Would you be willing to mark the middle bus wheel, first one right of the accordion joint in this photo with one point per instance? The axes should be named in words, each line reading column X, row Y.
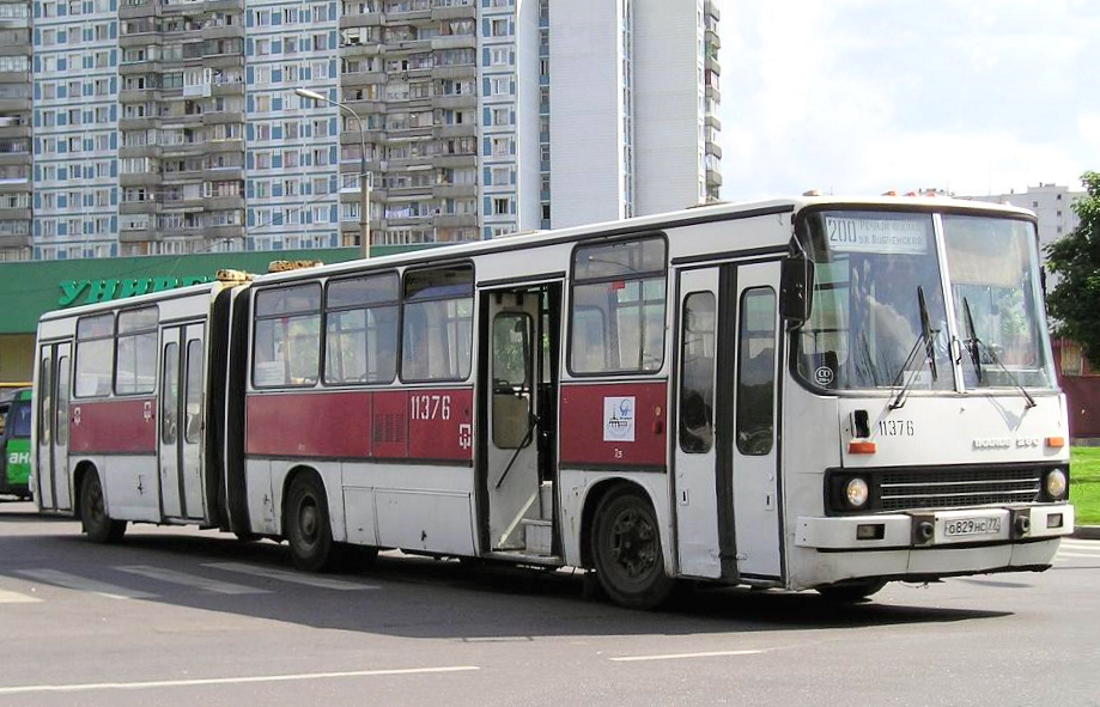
column 309, row 529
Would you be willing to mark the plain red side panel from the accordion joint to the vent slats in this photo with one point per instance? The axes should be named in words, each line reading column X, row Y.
column 309, row 425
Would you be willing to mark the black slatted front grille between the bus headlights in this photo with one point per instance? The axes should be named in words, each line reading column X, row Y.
column 914, row 491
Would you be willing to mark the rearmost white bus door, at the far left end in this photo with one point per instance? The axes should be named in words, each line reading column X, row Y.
column 52, row 473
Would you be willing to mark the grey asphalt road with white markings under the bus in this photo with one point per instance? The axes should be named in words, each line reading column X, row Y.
column 183, row 617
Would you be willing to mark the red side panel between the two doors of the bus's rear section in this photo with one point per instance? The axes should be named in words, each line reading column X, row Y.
column 114, row 427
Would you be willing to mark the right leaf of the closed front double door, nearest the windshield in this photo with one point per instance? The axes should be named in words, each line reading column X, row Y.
column 755, row 455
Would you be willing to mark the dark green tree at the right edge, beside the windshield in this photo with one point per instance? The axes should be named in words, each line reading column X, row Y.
column 1075, row 302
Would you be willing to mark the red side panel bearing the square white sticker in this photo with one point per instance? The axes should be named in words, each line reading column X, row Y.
column 614, row 425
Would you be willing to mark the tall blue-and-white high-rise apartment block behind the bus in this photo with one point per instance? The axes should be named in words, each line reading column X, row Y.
column 171, row 127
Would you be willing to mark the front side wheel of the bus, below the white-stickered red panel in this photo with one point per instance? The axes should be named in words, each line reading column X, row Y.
column 626, row 551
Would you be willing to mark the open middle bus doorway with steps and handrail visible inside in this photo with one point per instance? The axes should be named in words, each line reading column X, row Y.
column 519, row 385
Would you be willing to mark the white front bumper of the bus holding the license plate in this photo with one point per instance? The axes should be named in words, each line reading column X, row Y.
column 936, row 529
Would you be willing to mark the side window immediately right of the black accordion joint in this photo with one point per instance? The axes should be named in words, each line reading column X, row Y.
column 288, row 343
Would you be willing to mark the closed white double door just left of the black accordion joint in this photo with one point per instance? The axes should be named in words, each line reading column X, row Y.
column 181, row 422
